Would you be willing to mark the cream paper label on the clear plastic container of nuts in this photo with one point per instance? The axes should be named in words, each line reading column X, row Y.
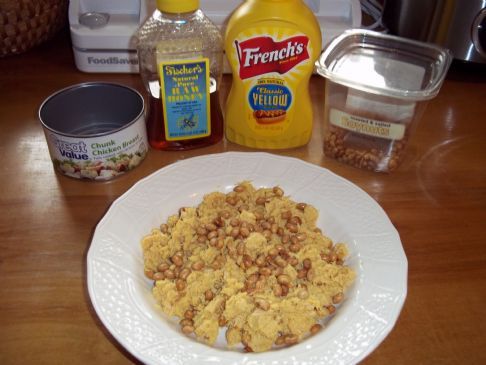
column 370, row 127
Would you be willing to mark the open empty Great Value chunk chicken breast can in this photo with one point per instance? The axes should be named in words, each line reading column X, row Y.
column 95, row 131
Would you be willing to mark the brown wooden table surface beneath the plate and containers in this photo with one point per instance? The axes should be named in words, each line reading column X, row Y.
column 436, row 200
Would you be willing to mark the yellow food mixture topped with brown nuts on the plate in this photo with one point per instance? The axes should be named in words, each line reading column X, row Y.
column 251, row 262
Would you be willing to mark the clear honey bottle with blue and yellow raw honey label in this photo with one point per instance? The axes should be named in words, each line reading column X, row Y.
column 180, row 55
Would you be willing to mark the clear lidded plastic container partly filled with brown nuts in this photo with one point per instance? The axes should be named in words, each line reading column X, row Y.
column 377, row 89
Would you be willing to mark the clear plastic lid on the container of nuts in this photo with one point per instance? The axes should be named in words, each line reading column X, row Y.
column 385, row 65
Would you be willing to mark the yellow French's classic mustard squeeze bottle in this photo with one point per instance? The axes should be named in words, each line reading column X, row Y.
column 271, row 46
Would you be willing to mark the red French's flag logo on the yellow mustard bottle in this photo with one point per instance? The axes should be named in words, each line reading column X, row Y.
column 261, row 55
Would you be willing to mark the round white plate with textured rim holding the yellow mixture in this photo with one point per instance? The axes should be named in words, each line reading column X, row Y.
column 122, row 298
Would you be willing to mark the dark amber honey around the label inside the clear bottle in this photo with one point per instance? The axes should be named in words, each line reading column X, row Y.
column 156, row 127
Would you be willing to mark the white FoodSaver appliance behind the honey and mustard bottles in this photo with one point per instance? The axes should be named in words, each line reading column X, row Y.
column 102, row 30
